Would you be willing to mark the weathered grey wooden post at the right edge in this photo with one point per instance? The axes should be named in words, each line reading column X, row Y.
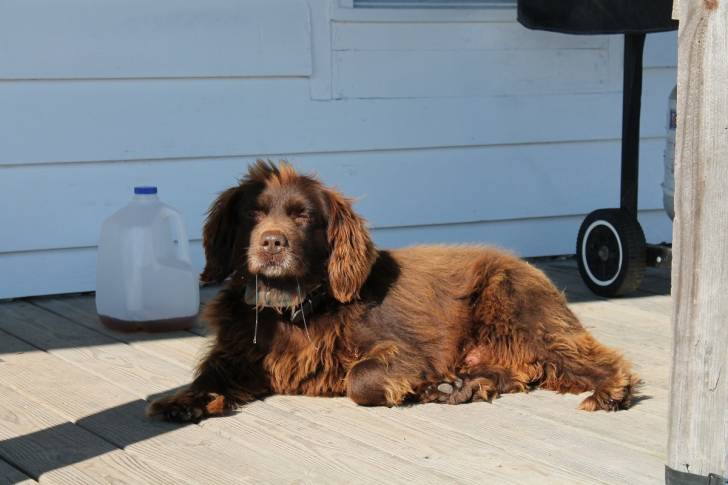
column 698, row 427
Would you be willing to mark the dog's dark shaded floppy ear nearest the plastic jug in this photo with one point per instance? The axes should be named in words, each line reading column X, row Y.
column 222, row 235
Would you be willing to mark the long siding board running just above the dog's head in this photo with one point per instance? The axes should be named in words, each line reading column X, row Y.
column 148, row 119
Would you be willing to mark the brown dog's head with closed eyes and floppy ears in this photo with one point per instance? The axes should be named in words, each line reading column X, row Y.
column 282, row 226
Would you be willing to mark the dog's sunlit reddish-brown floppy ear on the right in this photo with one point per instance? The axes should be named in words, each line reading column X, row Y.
column 352, row 250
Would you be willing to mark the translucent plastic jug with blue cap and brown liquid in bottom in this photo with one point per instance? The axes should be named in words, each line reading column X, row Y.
column 144, row 278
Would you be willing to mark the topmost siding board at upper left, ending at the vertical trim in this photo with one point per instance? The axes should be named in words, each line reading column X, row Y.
column 47, row 39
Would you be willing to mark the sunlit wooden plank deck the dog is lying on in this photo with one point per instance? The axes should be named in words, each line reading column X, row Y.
column 72, row 398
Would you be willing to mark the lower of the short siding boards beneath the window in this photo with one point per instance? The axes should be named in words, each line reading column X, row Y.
column 469, row 73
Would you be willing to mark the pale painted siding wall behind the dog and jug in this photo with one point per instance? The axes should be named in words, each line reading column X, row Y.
column 449, row 126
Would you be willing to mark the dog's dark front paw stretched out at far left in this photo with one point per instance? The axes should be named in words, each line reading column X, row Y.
column 186, row 407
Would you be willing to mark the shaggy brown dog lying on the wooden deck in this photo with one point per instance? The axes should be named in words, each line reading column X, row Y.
column 312, row 307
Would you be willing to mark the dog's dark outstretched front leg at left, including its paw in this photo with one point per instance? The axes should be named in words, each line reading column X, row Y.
column 219, row 387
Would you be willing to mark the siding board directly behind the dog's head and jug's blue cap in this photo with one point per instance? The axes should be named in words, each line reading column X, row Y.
column 392, row 188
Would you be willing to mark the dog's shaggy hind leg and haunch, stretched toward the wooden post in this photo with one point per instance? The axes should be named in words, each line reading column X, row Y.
column 526, row 326
